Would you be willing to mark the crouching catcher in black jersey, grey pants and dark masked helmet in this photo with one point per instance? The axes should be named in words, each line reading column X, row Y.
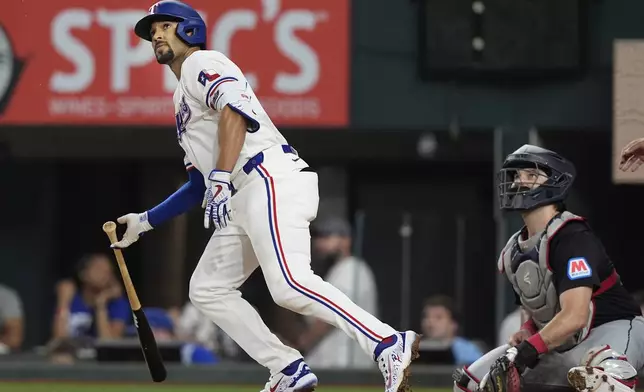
column 584, row 327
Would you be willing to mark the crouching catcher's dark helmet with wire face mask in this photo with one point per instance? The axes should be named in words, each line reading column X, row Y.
column 560, row 176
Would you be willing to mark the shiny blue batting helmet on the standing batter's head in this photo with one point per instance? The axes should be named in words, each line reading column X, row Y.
column 188, row 18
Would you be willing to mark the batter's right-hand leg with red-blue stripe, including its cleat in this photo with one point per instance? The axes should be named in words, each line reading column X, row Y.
column 280, row 211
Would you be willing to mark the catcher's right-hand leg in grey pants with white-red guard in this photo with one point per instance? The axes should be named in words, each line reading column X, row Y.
column 610, row 357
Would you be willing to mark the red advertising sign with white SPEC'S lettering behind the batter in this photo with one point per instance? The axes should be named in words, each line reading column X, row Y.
column 77, row 61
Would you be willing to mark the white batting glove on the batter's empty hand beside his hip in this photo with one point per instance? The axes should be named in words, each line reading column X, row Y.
column 216, row 200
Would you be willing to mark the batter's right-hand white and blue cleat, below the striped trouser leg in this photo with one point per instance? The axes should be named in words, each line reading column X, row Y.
column 394, row 355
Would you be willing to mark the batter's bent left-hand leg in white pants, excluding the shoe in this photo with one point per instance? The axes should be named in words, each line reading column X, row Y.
column 226, row 263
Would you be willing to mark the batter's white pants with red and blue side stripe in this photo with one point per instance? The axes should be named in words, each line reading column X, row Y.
column 272, row 209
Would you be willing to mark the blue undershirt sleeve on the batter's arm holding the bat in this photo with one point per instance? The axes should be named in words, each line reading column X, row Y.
column 189, row 195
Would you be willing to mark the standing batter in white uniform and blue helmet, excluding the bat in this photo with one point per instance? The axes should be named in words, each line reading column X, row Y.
column 259, row 195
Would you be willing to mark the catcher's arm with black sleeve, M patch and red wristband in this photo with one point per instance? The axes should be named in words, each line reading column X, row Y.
column 573, row 259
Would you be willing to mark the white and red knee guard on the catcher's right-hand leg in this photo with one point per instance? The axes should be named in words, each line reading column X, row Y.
column 603, row 369
